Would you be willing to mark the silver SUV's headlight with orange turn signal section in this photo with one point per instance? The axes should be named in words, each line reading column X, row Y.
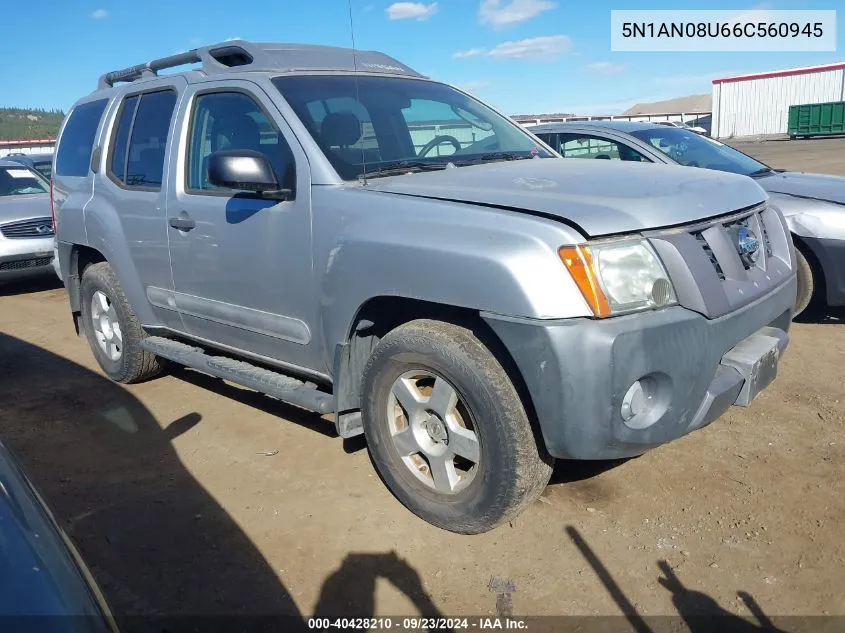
column 619, row 277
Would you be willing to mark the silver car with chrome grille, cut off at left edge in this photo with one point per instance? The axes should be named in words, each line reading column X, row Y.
column 26, row 228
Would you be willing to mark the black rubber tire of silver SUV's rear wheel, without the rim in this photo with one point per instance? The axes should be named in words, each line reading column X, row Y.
column 134, row 364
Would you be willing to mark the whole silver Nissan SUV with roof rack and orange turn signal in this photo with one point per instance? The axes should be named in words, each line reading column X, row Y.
column 268, row 219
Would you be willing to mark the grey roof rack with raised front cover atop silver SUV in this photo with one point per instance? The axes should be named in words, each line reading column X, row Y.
column 235, row 55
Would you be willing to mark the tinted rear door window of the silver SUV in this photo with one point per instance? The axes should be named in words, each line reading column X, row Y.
column 140, row 140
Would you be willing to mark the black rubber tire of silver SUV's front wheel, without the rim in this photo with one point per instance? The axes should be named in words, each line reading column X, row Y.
column 512, row 470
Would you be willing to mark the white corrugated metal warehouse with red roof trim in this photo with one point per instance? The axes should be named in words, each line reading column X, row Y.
column 758, row 104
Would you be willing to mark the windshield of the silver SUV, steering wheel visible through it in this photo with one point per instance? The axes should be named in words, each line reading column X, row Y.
column 387, row 121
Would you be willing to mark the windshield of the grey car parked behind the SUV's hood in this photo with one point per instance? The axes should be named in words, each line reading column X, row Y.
column 694, row 150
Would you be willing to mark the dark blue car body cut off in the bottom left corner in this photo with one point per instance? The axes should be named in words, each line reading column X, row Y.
column 46, row 585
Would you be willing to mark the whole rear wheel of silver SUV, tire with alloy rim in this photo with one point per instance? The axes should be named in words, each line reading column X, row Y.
column 112, row 329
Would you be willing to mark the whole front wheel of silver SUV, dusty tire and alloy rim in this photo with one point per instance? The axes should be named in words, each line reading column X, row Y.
column 447, row 430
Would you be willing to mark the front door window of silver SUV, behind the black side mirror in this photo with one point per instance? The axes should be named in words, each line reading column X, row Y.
column 233, row 120
